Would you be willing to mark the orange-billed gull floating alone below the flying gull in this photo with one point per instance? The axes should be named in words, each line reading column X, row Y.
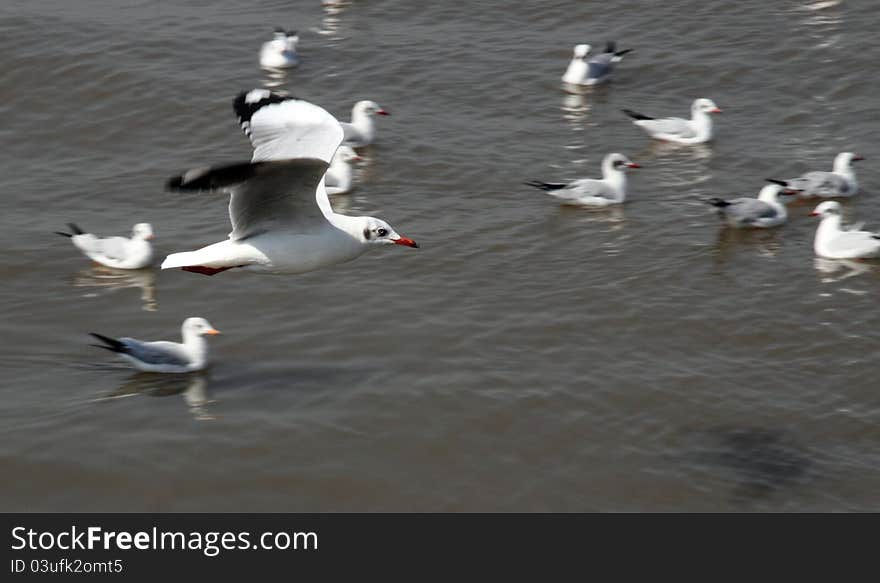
column 164, row 356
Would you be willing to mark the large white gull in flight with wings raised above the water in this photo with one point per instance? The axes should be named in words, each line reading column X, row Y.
column 281, row 217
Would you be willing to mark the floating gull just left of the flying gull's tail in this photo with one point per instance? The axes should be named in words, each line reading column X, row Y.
column 118, row 252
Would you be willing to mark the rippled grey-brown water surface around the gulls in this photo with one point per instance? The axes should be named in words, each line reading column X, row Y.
column 528, row 356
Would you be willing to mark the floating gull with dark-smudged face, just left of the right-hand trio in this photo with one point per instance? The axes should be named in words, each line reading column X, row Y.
column 611, row 189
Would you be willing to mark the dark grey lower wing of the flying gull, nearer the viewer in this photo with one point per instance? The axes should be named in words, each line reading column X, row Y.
column 284, row 194
